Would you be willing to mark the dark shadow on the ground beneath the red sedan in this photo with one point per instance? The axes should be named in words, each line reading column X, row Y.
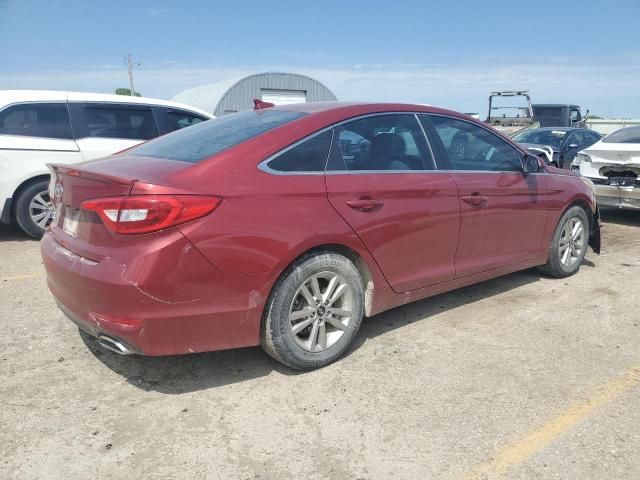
column 179, row 374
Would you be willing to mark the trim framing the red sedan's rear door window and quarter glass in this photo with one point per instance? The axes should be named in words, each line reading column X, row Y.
column 263, row 165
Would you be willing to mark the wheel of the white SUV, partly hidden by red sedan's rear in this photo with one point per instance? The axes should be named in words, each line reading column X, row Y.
column 34, row 211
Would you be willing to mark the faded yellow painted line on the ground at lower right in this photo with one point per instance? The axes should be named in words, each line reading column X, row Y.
column 516, row 453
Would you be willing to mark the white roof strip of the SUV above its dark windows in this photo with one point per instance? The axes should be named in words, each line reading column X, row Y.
column 8, row 97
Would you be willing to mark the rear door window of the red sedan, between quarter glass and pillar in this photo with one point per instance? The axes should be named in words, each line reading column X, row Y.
column 380, row 142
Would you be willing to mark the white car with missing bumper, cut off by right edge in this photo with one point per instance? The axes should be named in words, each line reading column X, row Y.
column 613, row 165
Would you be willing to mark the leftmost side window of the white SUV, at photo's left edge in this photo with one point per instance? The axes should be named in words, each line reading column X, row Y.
column 48, row 120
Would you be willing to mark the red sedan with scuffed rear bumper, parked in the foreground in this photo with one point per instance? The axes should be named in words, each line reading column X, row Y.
column 286, row 226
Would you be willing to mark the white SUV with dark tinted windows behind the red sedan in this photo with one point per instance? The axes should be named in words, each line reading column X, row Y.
column 40, row 127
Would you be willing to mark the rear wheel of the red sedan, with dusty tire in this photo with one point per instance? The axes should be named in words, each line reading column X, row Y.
column 314, row 311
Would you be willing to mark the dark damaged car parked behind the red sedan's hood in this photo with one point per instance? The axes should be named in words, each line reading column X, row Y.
column 559, row 144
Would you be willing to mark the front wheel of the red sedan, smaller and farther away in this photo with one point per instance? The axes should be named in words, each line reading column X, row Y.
column 568, row 244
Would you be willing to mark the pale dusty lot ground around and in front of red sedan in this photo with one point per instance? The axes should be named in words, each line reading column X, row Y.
column 519, row 377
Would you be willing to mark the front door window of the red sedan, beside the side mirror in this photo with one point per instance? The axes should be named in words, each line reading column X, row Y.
column 471, row 147
